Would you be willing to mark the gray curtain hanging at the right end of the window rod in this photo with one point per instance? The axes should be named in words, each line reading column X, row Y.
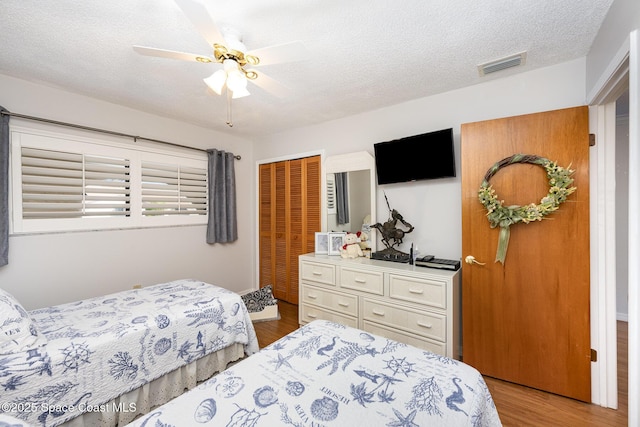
column 222, row 226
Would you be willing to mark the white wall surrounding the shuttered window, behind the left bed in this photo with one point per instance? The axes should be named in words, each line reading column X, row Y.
column 48, row 269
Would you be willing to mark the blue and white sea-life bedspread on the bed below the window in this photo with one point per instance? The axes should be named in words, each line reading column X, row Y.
column 100, row 348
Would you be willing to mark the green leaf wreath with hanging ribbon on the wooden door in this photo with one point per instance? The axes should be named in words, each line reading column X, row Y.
column 560, row 188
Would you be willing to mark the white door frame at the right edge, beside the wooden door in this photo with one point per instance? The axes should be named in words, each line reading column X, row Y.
column 625, row 66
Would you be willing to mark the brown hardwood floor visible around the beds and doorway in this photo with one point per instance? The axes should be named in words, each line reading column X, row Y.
column 517, row 405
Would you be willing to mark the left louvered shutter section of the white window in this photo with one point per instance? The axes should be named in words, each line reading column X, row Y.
column 57, row 184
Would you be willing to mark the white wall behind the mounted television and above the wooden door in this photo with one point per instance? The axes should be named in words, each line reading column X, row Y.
column 434, row 207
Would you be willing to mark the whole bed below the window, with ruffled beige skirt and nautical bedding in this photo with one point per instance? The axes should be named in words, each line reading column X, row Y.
column 102, row 361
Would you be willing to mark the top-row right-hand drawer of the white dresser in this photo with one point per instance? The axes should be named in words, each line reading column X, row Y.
column 418, row 290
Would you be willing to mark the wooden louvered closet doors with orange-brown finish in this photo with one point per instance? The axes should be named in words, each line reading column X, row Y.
column 289, row 216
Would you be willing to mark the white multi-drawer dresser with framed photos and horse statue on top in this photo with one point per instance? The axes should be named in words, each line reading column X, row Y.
column 415, row 305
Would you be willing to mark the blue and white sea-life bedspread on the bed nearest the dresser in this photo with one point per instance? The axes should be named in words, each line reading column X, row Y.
column 325, row 374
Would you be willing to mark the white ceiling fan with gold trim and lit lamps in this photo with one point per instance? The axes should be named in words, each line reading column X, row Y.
column 229, row 51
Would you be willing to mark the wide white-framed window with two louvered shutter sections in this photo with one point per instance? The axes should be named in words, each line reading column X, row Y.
column 60, row 182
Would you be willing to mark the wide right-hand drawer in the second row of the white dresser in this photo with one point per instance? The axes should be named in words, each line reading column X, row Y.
column 431, row 325
